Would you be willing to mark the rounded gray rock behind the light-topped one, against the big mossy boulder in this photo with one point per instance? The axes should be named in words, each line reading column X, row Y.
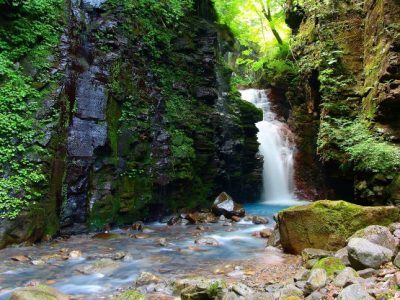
column 379, row 235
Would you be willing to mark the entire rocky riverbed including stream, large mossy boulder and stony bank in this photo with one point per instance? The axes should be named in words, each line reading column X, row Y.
column 219, row 254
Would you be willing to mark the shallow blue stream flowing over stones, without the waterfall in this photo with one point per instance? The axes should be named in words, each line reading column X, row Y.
column 107, row 266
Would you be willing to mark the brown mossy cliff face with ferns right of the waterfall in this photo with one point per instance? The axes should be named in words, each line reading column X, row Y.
column 348, row 56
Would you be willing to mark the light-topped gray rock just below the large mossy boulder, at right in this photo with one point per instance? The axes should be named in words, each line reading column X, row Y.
column 365, row 254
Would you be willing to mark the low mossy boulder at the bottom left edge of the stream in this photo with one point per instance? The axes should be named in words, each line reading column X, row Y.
column 38, row 292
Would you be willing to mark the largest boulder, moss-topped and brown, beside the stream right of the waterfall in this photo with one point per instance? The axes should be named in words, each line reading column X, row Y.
column 328, row 224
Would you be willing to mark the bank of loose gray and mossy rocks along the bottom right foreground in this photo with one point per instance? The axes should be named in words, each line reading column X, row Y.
column 350, row 273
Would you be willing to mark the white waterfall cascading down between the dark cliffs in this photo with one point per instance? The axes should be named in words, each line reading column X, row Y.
column 277, row 148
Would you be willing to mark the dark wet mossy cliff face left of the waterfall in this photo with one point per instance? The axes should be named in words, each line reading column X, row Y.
column 145, row 120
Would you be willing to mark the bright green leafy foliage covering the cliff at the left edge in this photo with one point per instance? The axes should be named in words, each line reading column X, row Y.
column 28, row 35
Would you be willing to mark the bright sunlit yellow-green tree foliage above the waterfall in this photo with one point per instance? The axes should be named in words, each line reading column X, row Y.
column 253, row 31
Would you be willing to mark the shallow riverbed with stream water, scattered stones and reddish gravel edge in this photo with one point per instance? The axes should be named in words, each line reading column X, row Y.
column 99, row 266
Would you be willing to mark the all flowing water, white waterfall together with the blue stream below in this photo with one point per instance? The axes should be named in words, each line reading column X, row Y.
column 113, row 262
